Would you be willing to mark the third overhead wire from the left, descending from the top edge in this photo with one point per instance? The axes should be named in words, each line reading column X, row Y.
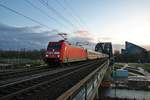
column 57, row 13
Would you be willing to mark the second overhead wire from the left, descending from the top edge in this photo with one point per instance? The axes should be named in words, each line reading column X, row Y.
column 43, row 12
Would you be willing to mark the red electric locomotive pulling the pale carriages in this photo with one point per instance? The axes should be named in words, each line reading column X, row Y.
column 62, row 52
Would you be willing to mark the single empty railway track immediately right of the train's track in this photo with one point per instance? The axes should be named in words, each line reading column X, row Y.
column 10, row 90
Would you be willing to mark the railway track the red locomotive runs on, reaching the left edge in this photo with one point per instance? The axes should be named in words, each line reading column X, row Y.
column 10, row 77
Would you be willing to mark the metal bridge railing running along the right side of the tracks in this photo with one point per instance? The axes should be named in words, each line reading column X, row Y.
column 87, row 88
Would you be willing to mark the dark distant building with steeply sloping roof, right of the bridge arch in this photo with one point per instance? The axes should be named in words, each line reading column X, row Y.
column 131, row 48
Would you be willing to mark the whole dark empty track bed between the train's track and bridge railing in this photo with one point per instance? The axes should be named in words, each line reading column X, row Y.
column 51, row 83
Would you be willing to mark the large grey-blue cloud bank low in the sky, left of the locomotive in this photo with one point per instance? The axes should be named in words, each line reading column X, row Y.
column 15, row 38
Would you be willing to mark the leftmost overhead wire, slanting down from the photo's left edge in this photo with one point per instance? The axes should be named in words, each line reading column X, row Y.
column 27, row 17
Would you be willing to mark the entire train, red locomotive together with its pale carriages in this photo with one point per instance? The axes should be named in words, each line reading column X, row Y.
column 63, row 52
